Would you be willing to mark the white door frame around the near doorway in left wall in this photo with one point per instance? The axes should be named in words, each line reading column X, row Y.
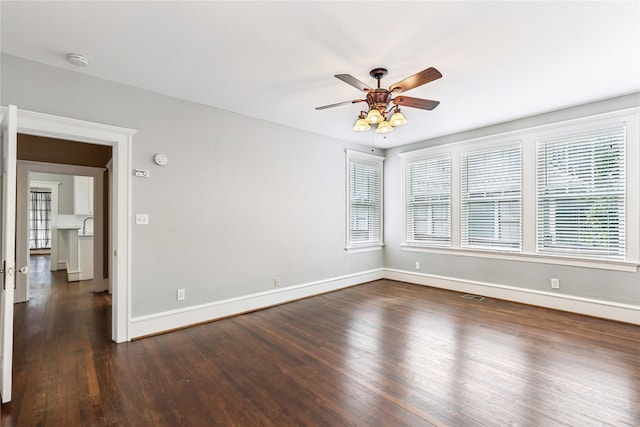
column 120, row 139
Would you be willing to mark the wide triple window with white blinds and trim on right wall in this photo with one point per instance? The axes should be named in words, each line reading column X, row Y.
column 563, row 193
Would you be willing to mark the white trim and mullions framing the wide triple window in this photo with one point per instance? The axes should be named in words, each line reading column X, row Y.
column 528, row 137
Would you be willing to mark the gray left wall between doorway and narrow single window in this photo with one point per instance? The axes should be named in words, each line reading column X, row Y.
column 242, row 201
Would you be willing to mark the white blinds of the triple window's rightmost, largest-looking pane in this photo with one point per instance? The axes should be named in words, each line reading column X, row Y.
column 581, row 194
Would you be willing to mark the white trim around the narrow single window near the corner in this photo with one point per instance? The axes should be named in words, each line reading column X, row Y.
column 378, row 161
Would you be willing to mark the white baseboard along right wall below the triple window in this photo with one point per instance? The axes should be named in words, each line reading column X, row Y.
column 590, row 307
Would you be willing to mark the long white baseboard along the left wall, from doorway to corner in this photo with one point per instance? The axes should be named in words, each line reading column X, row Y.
column 174, row 319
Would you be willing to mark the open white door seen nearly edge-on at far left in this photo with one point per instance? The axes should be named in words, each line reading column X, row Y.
column 8, row 140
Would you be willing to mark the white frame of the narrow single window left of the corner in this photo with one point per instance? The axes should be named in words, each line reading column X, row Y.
column 375, row 242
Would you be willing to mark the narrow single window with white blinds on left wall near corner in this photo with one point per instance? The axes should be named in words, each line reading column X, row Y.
column 364, row 200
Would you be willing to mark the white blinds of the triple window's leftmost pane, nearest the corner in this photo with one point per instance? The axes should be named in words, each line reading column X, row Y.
column 428, row 201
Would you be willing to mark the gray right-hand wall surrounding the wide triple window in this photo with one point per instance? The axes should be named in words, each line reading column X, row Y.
column 614, row 286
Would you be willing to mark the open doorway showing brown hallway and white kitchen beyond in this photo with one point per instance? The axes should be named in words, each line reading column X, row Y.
column 79, row 223
